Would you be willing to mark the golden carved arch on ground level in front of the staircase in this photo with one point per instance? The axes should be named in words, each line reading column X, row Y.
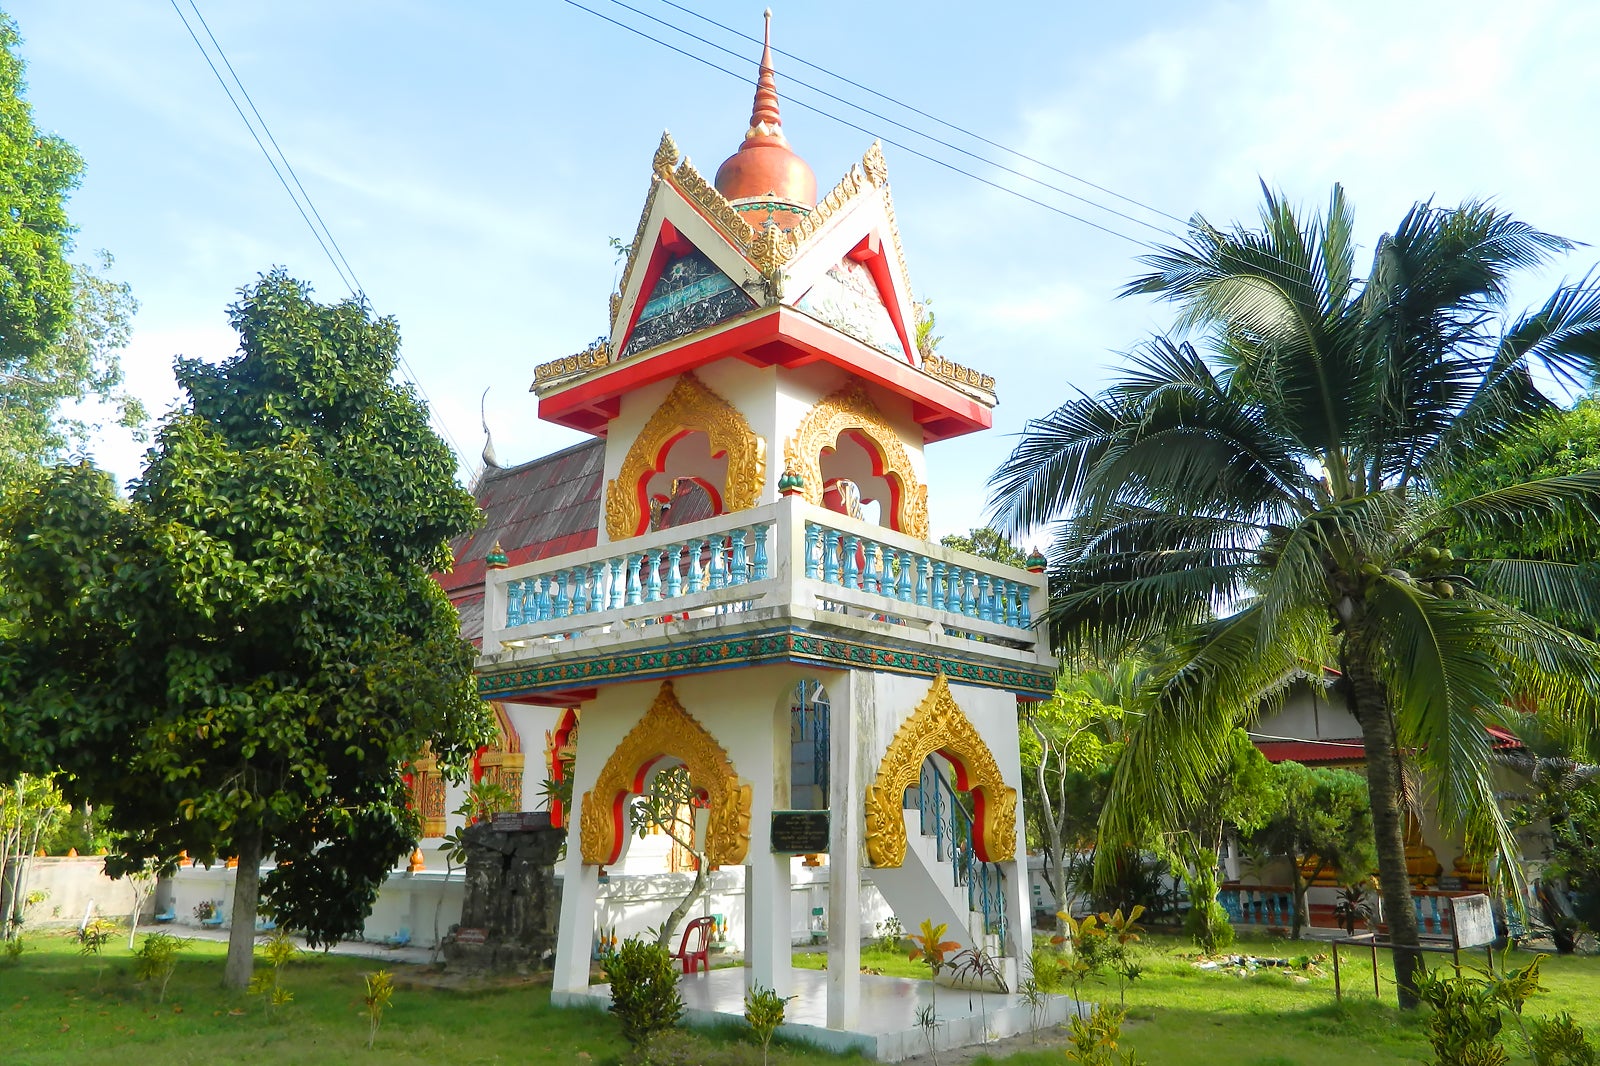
column 938, row 726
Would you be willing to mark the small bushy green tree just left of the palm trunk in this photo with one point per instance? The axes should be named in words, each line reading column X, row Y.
column 1326, row 822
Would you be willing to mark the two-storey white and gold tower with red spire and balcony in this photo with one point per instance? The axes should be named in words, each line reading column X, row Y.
column 762, row 551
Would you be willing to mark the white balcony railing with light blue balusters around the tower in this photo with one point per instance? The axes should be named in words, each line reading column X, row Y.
column 780, row 556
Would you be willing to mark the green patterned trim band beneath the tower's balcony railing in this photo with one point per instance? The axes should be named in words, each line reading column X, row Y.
column 778, row 646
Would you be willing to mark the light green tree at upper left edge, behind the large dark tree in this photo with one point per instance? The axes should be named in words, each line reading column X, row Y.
column 60, row 323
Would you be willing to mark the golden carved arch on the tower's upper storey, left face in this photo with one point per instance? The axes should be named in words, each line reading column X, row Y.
column 690, row 406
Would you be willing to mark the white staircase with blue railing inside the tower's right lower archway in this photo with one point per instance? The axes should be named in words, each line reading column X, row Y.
column 943, row 880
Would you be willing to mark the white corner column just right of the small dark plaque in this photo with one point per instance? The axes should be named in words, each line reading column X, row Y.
column 850, row 699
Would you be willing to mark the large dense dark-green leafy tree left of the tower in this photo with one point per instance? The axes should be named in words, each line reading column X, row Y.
column 241, row 659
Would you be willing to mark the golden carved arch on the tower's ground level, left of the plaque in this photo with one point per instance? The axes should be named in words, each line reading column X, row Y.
column 666, row 732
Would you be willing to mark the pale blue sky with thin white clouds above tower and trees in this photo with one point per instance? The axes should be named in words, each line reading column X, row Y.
column 474, row 159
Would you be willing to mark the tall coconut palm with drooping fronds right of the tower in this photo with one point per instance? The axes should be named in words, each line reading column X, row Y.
column 1265, row 505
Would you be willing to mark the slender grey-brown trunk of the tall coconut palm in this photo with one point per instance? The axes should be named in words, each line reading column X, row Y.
column 1370, row 705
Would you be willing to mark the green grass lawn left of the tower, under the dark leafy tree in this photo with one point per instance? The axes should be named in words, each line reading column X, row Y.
column 54, row 1011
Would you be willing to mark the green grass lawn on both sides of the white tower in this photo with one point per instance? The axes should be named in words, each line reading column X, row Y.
column 54, row 1009
